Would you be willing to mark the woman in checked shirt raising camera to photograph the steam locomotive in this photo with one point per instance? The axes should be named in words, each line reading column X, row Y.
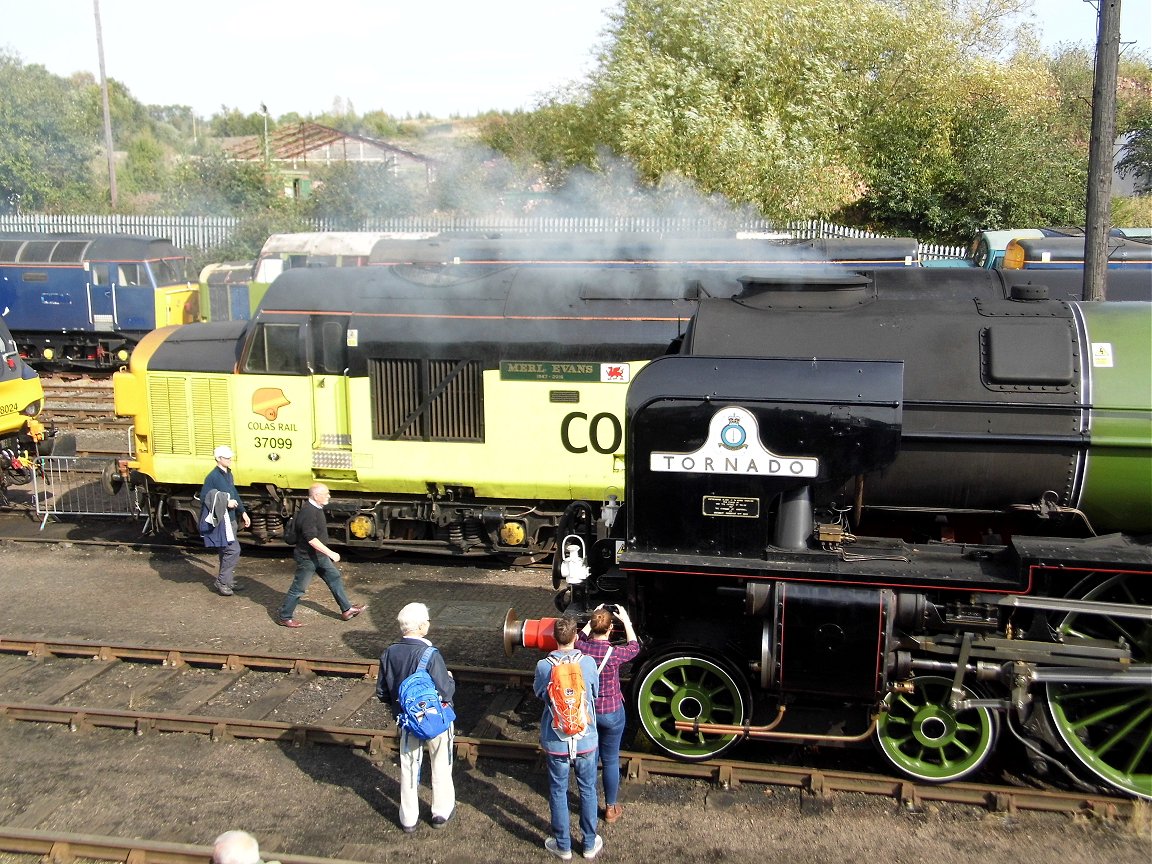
column 610, row 704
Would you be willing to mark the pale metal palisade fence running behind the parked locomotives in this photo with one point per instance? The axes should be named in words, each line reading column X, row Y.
column 211, row 232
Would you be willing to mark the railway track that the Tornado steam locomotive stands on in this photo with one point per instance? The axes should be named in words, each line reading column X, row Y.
column 329, row 701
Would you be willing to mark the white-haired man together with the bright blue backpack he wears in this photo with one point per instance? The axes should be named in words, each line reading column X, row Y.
column 416, row 683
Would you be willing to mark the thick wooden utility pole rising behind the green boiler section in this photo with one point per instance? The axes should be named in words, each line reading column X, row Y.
column 1102, row 150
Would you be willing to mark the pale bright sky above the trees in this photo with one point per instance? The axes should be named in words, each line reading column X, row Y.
column 439, row 58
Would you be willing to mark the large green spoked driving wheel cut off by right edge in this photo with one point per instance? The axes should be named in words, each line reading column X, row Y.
column 1109, row 729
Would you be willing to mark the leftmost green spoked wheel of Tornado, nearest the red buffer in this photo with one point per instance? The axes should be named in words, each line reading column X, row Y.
column 689, row 688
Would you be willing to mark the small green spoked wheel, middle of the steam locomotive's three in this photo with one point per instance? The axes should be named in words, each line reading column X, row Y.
column 927, row 740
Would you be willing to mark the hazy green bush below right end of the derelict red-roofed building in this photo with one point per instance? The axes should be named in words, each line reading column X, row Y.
column 347, row 194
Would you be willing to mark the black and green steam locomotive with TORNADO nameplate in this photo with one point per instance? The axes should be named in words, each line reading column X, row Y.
column 921, row 520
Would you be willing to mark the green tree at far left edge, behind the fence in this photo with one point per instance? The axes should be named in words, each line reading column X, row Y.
column 49, row 140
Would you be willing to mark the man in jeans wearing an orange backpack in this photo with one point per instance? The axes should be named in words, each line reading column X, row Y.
column 569, row 683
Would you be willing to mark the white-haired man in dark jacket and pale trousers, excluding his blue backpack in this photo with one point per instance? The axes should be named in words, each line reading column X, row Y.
column 398, row 662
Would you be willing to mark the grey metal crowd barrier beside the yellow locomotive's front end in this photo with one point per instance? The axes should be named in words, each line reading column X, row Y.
column 81, row 487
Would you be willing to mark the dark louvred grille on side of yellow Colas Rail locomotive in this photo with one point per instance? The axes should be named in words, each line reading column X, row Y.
column 434, row 400
